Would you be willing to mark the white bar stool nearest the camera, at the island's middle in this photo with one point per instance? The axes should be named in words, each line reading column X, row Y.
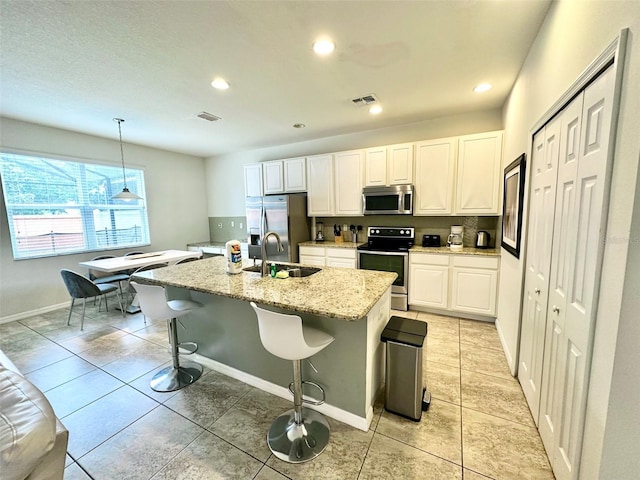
column 301, row 434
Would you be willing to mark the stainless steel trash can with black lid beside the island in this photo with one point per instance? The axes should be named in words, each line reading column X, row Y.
column 405, row 393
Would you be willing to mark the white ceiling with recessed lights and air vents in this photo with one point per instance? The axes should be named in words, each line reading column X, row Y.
column 77, row 64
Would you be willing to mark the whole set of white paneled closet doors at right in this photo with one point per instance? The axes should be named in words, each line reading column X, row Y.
column 569, row 192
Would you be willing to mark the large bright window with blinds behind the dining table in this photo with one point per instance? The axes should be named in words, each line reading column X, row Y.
column 57, row 207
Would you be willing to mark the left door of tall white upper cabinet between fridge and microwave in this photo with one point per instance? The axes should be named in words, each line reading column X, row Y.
column 320, row 196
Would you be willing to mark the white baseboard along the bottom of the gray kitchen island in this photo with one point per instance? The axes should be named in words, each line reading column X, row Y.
column 329, row 410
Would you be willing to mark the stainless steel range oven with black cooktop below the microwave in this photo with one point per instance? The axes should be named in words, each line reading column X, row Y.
column 387, row 250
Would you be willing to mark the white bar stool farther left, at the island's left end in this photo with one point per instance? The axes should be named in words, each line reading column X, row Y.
column 154, row 305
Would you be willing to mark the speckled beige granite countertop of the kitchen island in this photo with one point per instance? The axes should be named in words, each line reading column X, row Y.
column 332, row 292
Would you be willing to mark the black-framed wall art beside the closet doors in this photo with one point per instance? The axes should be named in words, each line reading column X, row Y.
column 513, row 188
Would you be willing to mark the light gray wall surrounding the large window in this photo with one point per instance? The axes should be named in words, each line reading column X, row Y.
column 176, row 202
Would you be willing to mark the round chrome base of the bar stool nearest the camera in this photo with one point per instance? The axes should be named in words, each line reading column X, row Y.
column 297, row 443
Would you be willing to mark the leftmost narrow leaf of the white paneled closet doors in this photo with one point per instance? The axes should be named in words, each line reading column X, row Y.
column 538, row 261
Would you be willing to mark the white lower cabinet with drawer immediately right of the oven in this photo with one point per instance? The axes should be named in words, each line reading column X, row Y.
column 429, row 280
